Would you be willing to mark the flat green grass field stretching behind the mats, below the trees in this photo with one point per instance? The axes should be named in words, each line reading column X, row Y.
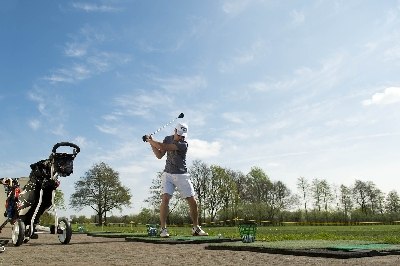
column 377, row 233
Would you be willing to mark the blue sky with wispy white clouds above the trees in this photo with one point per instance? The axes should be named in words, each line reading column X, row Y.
column 297, row 88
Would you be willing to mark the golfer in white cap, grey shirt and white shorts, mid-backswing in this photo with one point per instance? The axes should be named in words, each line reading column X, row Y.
column 175, row 176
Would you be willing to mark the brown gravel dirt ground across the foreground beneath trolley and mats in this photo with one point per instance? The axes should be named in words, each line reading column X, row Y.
column 87, row 250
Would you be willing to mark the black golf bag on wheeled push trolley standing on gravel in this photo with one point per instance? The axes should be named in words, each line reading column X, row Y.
column 24, row 207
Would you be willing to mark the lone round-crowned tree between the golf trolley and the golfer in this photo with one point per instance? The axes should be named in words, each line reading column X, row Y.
column 101, row 190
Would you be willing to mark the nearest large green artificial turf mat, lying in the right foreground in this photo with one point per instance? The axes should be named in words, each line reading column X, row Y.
column 341, row 249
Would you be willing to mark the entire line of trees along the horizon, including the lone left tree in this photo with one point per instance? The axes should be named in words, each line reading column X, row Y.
column 225, row 194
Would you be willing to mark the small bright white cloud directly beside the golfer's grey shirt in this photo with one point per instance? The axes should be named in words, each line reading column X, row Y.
column 200, row 149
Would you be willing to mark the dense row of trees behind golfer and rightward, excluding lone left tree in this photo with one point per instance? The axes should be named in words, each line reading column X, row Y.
column 225, row 194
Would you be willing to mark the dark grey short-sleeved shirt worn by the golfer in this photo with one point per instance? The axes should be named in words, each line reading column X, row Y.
column 176, row 160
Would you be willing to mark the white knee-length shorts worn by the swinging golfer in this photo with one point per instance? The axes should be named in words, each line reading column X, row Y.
column 180, row 182
